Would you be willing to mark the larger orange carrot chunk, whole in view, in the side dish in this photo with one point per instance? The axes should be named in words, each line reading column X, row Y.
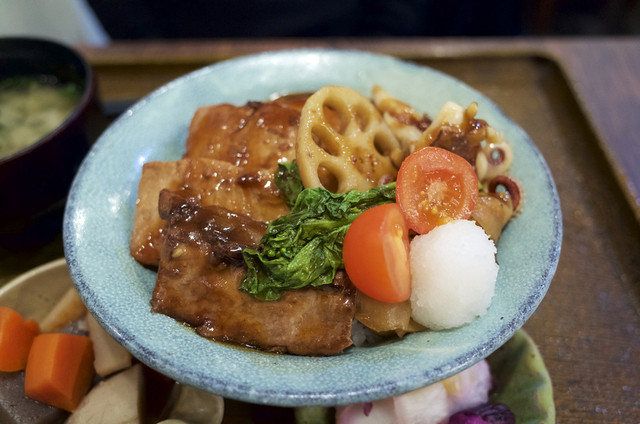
column 59, row 370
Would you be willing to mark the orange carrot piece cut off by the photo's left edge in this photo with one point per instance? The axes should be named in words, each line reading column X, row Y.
column 16, row 336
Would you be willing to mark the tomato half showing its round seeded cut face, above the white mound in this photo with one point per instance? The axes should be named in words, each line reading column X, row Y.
column 435, row 186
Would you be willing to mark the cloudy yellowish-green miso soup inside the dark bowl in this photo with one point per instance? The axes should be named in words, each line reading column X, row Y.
column 30, row 108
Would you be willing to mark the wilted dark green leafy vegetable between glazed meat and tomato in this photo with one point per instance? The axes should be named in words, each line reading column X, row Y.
column 305, row 247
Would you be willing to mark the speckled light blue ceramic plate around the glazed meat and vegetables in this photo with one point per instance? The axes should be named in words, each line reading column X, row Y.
column 99, row 218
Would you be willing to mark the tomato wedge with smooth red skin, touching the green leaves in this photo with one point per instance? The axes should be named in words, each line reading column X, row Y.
column 376, row 254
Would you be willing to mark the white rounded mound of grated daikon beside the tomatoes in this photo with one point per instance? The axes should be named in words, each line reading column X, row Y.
column 453, row 275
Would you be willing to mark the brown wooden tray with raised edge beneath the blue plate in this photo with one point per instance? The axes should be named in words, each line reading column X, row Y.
column 588, row 325
